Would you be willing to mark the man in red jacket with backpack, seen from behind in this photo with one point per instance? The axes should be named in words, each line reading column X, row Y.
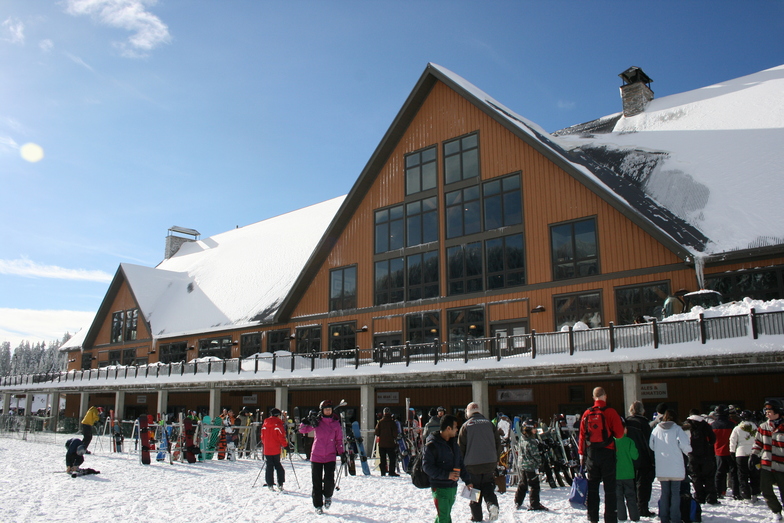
column 599, row 427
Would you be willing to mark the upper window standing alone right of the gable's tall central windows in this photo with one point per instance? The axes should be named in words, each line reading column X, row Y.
column 575, row 252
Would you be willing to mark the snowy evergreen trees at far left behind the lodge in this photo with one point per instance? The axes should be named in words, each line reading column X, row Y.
column 27, row 358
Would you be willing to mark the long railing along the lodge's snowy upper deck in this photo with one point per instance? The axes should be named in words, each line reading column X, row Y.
column 529, row 345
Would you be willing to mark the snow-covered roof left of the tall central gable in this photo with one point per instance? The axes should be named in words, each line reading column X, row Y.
column 232, row 279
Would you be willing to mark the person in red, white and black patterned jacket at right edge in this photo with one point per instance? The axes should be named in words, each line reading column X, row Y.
column 767, row 454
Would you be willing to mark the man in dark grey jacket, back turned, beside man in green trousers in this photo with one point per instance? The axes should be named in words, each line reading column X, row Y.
column 480, row 443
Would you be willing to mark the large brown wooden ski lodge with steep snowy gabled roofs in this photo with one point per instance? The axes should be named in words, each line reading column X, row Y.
column 467, row 223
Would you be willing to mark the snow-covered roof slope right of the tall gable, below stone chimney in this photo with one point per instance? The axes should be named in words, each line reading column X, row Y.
column 711, row 156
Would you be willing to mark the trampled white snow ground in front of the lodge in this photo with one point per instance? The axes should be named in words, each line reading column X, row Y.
column 36, row 488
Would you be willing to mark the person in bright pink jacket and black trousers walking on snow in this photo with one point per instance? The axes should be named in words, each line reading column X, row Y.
column 327, row 445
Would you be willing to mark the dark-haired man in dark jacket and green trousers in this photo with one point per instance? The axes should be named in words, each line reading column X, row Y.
column 443, row 463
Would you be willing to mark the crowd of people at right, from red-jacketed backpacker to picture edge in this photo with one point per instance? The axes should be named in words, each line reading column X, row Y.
column 703, row 460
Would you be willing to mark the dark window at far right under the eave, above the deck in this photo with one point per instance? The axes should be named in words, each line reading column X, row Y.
column 763, row 284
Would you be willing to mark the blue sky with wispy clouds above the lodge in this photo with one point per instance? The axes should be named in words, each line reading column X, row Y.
column 210, row 115
